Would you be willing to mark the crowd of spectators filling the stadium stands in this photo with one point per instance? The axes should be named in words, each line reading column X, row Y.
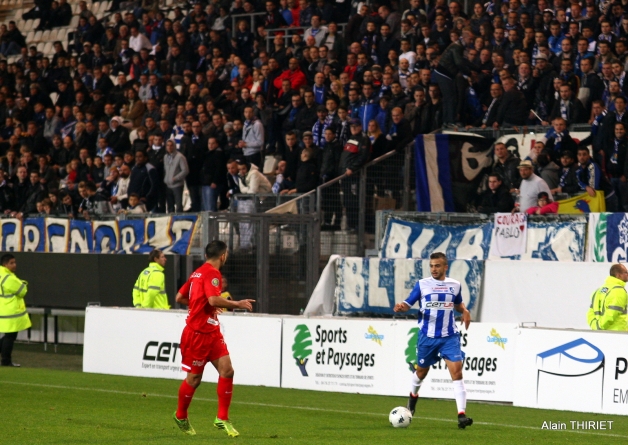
column 151, row 100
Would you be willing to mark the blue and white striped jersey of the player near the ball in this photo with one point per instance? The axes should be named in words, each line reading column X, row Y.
column 436, row 306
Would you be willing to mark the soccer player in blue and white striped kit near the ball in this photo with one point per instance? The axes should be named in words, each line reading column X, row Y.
column 438, row 297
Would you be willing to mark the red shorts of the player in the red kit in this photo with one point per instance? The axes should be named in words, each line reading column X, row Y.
column 198, row 349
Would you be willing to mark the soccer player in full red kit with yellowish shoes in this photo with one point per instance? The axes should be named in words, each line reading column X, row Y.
column 202, row 341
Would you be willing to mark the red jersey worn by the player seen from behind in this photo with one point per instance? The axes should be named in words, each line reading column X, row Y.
column 205, row 282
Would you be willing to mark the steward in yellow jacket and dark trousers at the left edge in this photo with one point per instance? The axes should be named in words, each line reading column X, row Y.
column 13, row 315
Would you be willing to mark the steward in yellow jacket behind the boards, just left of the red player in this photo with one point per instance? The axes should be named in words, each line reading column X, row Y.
column 150, row 288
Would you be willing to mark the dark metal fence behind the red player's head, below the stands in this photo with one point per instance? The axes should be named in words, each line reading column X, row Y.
column 274, row 259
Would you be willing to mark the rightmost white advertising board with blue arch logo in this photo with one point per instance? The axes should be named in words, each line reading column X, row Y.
column 572, row 370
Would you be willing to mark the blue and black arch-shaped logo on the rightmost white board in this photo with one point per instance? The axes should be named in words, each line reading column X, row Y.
column 577, row 364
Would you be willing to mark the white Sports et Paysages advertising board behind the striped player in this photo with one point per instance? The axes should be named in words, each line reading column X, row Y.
column 378, row 357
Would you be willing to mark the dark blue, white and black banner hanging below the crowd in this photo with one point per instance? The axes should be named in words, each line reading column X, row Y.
column 449, row 168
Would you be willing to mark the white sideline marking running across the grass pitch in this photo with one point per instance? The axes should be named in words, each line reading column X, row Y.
column 304, row 408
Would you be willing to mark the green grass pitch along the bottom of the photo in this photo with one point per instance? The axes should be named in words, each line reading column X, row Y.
column 43, row 406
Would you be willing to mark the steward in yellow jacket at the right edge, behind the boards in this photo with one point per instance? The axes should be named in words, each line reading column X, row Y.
column 609, row 303
